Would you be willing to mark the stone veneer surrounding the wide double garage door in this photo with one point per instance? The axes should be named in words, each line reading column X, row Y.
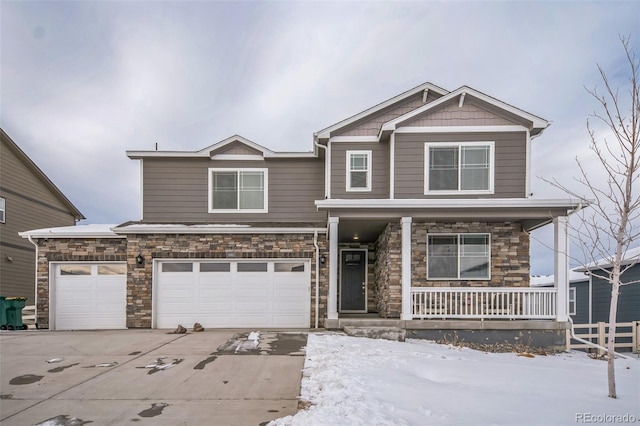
column 237, row 246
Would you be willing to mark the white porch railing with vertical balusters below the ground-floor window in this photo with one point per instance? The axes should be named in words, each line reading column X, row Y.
column 485, row 302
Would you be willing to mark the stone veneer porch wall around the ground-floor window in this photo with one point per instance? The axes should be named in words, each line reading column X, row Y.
column 510, row 265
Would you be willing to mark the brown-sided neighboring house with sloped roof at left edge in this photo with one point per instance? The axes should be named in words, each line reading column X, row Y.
column 28, row 200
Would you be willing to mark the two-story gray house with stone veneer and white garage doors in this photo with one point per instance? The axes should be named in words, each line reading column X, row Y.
column 417, row 208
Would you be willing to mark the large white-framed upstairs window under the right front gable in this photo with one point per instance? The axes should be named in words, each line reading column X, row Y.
column 459, row 168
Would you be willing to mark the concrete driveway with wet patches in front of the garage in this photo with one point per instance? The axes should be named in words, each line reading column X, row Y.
column 149, row 377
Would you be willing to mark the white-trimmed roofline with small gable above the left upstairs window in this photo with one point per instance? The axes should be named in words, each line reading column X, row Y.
column 209, row 151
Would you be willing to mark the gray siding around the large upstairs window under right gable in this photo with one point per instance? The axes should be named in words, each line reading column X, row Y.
column 510, row 163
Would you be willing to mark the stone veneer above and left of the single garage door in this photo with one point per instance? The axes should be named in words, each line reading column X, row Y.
column 71, row 250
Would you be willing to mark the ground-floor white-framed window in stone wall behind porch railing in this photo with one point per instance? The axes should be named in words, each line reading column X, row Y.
column 458, row 256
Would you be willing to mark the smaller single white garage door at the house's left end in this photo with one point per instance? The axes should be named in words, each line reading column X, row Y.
column 90, row 296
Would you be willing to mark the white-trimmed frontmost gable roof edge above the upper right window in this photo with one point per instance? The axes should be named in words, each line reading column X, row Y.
column 537, row 124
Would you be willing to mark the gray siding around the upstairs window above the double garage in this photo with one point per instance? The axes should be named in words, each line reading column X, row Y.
column 176, row 190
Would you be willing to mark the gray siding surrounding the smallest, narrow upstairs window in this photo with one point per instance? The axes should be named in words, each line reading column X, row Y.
column 379, row 170
